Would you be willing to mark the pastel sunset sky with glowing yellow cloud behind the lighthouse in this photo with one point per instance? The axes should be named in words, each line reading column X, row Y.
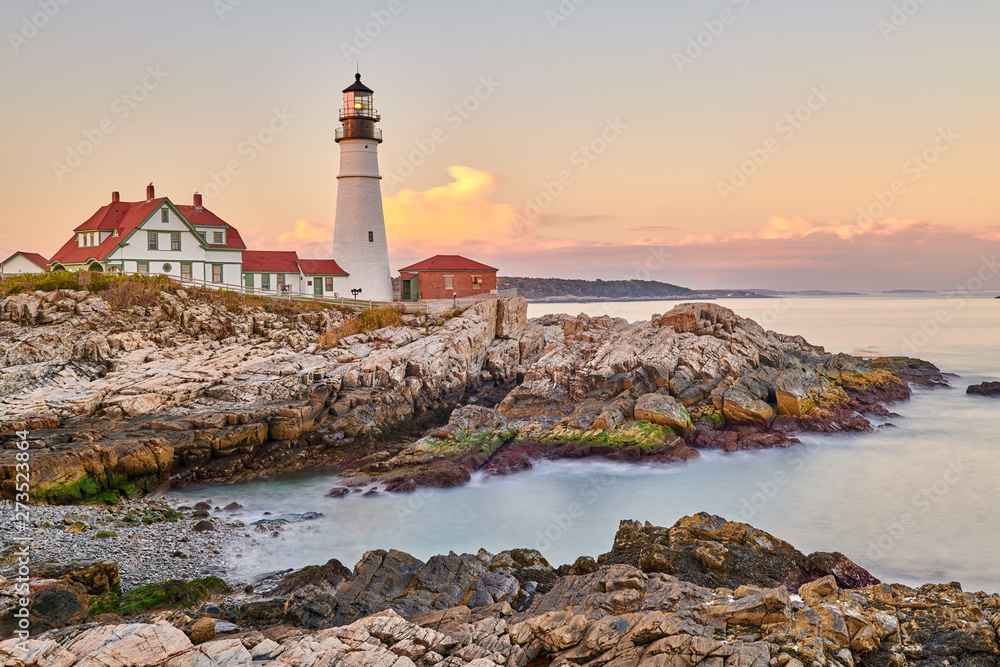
column 780, row 144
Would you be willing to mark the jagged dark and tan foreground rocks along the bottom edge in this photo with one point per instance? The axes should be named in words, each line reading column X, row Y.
column 705, row 592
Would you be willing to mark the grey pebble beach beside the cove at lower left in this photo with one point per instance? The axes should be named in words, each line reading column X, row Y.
column 145, row 552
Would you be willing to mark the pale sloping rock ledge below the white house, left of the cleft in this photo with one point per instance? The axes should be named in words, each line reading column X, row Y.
column 188, row 390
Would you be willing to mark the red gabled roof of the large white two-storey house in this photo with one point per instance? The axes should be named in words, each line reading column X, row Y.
column 125, row 217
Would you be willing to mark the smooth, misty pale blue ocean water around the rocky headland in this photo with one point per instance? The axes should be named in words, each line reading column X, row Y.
column 916, row 501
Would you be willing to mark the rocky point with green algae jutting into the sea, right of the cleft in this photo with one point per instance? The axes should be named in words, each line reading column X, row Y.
column 697, row 377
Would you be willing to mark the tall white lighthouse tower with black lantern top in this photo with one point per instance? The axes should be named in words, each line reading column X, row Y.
column 359, row 243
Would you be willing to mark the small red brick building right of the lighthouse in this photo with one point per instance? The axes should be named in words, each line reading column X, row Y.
column 445, row 277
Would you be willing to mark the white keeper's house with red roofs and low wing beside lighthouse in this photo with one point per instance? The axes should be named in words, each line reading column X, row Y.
column 189, row 242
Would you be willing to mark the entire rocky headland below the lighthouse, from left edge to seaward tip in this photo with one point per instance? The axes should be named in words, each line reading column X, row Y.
column 186, row 390
